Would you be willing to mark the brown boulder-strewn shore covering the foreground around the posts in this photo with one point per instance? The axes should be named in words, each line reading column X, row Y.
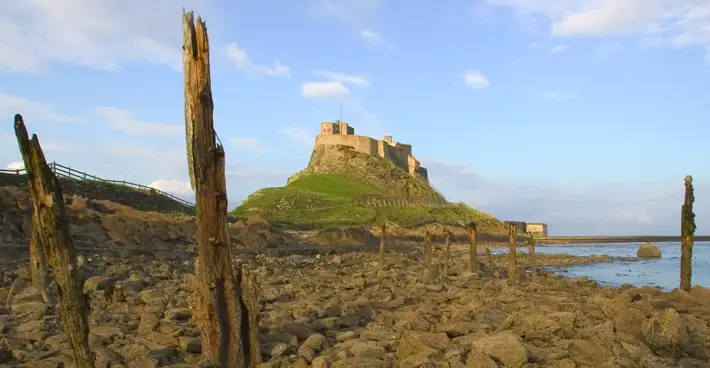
column 340, row 310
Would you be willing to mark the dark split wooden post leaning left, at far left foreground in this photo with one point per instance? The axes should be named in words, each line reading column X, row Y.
column 52, row 238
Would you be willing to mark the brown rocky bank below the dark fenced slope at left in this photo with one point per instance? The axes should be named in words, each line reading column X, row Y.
column 110, row 225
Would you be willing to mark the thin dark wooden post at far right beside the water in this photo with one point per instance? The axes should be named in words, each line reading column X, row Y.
column 687, row 229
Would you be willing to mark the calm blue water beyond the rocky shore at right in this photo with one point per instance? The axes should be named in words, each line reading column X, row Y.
column 663, row 272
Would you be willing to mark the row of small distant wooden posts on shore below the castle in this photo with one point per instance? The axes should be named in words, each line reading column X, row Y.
column 473, row 251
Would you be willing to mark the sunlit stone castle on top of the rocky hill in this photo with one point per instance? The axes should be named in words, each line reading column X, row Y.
column 340, row 133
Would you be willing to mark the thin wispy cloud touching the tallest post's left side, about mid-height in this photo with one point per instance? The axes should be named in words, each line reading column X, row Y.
column 122, row 120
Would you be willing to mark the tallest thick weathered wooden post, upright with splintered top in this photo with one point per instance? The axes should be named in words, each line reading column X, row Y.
column 220, row 306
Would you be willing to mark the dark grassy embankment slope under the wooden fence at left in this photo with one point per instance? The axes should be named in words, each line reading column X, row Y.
column 124, row 195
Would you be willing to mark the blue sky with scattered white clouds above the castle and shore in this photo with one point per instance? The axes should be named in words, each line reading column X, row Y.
column 583, row 114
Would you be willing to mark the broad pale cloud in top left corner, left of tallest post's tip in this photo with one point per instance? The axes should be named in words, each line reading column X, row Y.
column 95, row 34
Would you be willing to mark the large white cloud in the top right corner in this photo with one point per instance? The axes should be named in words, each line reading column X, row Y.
column 658, row 22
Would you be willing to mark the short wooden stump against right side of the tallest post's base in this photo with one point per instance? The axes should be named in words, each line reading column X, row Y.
column 250, row 327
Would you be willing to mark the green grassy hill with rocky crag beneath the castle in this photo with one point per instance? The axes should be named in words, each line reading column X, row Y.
column 334, row 188
